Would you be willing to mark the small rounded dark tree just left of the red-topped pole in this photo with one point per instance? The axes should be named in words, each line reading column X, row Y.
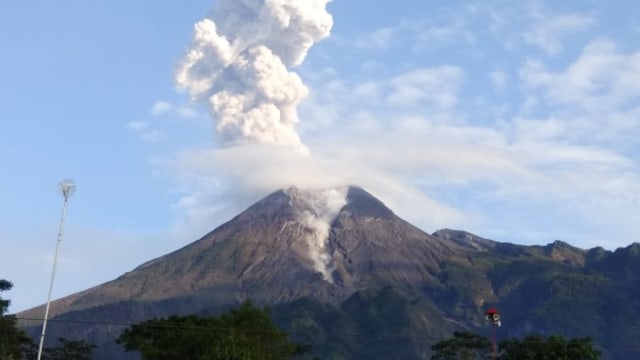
column 463, row 346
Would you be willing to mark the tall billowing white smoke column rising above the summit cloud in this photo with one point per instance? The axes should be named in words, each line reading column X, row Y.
column 239, row 61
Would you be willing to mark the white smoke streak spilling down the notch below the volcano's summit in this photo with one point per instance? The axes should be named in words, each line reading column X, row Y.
column 323, row 206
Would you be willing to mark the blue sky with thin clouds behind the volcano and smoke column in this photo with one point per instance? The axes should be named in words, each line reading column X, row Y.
column 517, row 121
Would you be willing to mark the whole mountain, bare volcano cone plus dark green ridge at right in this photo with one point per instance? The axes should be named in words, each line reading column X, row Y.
column 342, row 272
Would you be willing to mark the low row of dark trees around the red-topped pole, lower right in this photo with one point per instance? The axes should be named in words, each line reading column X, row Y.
column 470, row 346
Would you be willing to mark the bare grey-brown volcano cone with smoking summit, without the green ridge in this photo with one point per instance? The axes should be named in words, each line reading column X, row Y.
column 292, row 244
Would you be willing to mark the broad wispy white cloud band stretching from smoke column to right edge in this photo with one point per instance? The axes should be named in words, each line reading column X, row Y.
column 522, row 159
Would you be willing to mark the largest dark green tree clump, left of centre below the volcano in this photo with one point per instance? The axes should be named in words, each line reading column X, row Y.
column 244, row 333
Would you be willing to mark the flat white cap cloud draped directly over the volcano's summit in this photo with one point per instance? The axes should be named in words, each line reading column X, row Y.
column 255, row 171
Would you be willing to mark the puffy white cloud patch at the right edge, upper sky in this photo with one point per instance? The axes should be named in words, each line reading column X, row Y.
column 596, row 96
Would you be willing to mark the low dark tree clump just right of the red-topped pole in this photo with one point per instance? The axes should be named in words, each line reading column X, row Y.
column 535, row 347
